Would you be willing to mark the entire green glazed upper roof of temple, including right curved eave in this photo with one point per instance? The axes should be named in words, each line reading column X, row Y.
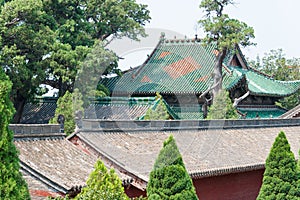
column 177, row 66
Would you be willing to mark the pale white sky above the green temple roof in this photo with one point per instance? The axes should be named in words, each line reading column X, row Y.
column 276, row 22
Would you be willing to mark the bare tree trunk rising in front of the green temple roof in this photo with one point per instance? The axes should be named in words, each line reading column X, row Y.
column 218, row 73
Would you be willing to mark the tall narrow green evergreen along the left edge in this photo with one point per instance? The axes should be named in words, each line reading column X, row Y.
column 12, row 185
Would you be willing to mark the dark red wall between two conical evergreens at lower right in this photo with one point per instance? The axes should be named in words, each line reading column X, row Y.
column 238, row 186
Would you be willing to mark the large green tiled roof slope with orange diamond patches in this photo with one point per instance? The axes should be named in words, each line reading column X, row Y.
column 180, row 66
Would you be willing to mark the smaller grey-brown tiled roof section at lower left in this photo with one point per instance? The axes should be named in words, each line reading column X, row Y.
column 56, row 162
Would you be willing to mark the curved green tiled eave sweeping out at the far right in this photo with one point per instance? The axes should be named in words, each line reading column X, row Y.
column 262, row 85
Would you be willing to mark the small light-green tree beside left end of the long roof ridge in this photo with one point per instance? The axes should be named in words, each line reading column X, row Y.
column 65, row 108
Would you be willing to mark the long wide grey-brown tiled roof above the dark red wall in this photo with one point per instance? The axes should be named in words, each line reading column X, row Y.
column 205, row 152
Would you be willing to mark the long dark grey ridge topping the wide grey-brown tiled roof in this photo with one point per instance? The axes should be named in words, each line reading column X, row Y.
column 123, row 125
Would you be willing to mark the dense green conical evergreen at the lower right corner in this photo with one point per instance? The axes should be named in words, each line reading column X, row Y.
column 281, row 178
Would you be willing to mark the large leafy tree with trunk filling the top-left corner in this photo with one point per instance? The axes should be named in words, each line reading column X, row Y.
column 25, row 39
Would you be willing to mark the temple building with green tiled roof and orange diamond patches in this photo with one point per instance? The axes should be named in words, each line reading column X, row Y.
column 182, row 69
